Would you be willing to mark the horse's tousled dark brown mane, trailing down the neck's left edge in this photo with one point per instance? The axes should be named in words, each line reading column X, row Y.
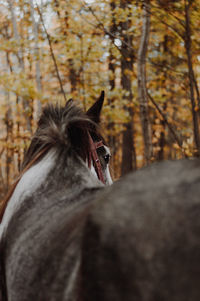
column 63, row 127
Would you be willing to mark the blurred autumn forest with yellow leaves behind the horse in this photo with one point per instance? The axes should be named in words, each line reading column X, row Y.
column 144, row 54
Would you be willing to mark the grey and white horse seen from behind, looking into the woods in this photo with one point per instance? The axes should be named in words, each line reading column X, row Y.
column 66, row 236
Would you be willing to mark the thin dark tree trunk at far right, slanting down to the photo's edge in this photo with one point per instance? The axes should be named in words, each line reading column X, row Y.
column 191, row 77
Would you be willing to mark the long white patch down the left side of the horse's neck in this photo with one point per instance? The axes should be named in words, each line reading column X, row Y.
column 30, row 181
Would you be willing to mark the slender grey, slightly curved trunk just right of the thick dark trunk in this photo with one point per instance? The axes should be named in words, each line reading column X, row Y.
column 142, row 90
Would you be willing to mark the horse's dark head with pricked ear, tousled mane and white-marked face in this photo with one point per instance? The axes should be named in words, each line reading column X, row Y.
column 68, row 126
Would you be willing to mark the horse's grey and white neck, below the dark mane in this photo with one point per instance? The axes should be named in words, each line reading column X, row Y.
column 57, row 172
